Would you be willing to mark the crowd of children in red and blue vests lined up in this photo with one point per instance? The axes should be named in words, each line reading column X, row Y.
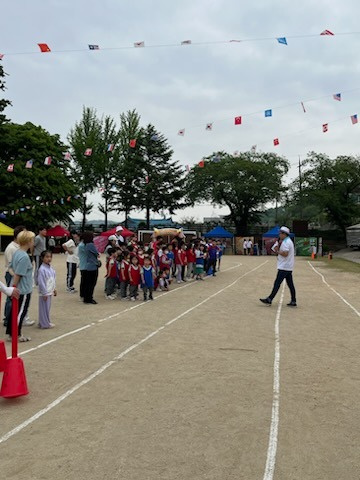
column 153, row 267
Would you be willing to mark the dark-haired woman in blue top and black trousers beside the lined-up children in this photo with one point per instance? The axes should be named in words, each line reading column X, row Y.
column 91, row 268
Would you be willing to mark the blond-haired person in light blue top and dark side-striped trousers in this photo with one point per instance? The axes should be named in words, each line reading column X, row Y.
column 22, row 279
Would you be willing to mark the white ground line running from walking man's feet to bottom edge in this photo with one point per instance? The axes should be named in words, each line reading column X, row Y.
column 274, row 427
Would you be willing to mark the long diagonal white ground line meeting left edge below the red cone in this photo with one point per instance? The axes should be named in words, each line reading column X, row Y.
column 102, row 369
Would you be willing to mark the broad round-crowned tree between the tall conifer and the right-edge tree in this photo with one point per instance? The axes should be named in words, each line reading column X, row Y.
column 244, row 184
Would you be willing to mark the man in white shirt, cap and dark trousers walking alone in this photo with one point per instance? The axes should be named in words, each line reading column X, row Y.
column 284, row 249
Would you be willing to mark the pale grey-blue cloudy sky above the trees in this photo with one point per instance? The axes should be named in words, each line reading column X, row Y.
column 186, row 87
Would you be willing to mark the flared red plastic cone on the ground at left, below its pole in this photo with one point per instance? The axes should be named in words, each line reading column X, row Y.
column 14, row 380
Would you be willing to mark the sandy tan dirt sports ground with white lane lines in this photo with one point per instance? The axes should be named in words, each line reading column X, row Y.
column 182, row 387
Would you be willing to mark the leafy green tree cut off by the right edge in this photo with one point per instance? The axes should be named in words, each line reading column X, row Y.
column 330, row 185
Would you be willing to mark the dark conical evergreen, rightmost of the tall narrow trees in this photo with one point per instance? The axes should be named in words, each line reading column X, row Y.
column 162, row 182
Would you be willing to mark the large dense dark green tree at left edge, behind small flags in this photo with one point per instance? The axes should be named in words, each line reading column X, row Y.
column 40, row 194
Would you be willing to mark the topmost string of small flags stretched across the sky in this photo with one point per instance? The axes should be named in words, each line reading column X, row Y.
column 44, row 47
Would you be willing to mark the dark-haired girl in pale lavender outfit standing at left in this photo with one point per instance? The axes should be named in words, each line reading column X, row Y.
column 46, row 279
